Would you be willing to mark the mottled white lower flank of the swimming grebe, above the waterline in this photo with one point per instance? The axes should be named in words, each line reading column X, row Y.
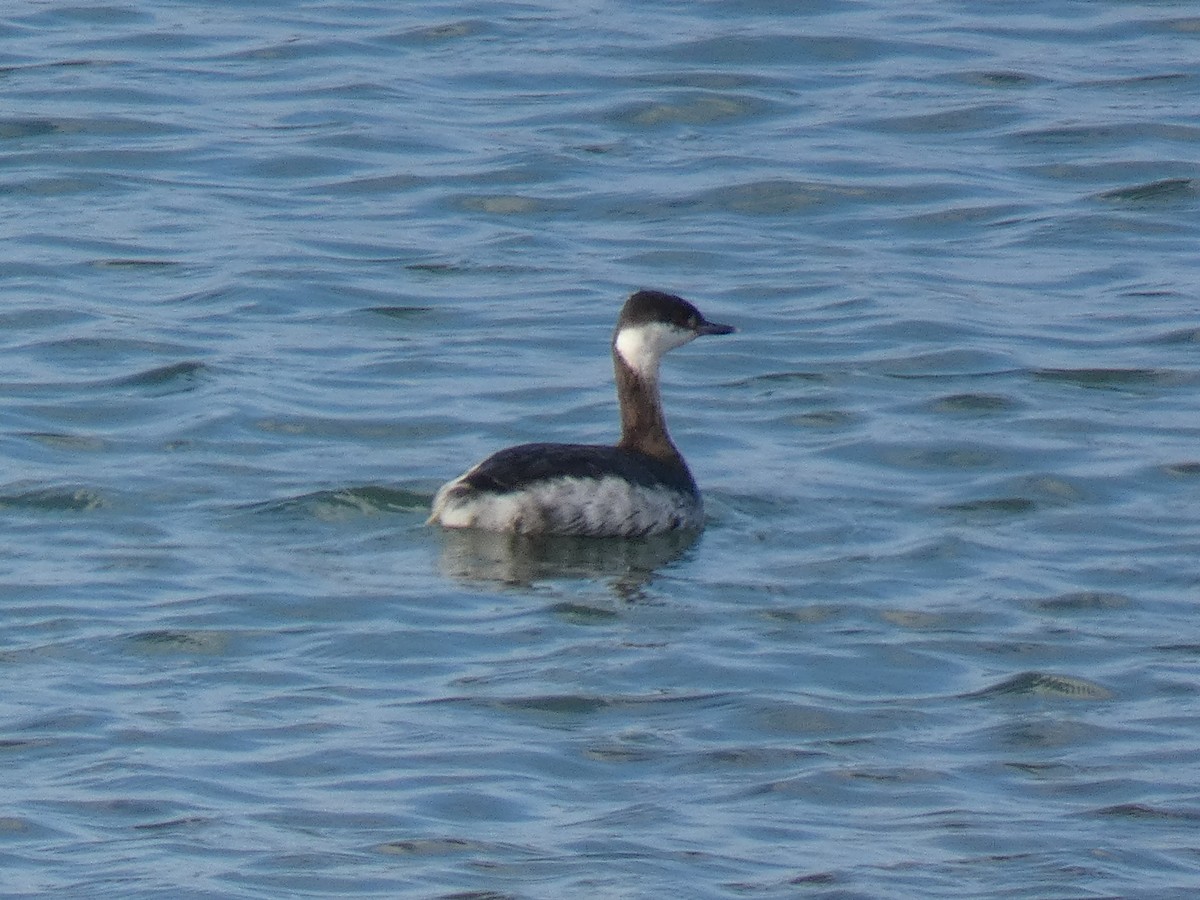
column 608, row 507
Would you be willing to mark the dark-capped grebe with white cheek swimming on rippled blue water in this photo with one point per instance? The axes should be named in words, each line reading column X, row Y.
column 640, row 487
